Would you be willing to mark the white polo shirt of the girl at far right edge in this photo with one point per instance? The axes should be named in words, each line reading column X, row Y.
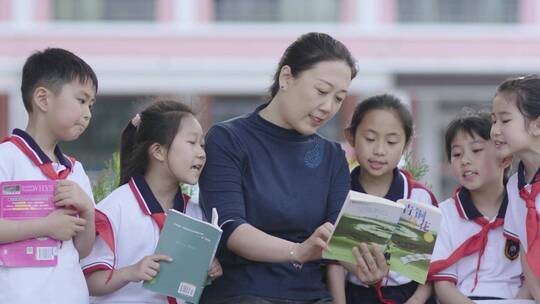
column 514, row 222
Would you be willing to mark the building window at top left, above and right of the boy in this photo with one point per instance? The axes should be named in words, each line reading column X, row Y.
column 110, row 10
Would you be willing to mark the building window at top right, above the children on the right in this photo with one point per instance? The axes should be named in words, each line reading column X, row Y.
column 458, row 11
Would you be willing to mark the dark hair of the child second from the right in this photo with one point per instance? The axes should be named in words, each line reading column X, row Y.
column 471, row 122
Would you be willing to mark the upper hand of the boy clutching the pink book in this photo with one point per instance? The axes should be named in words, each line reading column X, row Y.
column 69, row 194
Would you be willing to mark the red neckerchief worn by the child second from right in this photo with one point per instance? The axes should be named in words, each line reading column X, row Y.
column 475, row 243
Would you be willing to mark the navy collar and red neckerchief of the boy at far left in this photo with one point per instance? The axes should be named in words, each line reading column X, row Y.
column 27, row 145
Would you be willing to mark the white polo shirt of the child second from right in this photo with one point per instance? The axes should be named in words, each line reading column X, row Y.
column 500, row 269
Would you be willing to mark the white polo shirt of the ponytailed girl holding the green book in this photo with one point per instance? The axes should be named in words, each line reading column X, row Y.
column 129, row 210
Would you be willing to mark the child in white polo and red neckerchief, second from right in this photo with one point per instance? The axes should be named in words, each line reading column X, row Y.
column 472, row 259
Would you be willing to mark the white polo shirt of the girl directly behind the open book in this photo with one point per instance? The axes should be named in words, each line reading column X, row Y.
column 402, row 187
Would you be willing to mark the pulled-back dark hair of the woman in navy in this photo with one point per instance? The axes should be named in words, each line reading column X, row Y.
column 308, row 50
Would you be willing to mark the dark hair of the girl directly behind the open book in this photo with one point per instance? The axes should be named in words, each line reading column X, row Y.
column 383, row 102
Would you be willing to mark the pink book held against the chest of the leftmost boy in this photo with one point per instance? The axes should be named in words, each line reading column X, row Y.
column 24, row 200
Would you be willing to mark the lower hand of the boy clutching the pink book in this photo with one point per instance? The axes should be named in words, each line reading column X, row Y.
column 63, row 224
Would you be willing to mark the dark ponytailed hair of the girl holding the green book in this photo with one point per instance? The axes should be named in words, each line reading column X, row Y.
column 159, row 123
